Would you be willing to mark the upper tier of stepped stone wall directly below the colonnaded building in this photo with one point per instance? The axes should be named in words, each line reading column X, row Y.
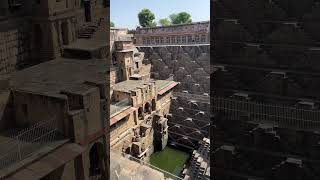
column 189, row 65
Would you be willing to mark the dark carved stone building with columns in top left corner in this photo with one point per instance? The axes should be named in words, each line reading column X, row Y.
column 33, row 32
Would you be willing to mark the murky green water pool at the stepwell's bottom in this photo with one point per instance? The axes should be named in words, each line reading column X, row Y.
column 170, row 160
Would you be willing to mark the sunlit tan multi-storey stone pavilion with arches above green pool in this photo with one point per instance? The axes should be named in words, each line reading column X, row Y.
column 139, row 105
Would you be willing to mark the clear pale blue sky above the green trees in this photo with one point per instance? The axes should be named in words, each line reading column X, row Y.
column 124, row 13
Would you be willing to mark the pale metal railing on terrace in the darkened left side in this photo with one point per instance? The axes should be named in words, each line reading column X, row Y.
column 24, row 143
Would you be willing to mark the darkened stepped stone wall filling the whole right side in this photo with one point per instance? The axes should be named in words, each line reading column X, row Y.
column 266, row 90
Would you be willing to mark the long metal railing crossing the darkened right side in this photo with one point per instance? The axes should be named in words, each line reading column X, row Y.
column 282, row 116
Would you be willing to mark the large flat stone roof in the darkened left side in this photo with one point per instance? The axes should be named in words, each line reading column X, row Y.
column 52, row 77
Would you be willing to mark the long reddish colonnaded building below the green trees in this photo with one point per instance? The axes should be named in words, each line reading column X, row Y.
column 193, row 33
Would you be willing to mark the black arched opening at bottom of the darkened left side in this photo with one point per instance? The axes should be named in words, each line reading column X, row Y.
column 96, row 159
